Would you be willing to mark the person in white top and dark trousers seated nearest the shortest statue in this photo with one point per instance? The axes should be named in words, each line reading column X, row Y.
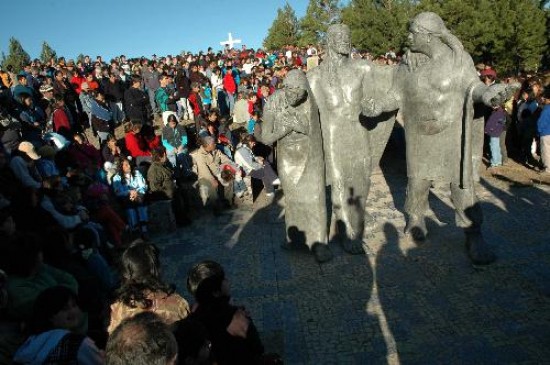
column 256, row 167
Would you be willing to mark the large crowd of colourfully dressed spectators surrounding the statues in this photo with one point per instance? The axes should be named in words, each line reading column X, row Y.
column 76, row 272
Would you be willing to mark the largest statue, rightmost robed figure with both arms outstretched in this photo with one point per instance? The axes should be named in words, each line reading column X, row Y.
column 435, row 88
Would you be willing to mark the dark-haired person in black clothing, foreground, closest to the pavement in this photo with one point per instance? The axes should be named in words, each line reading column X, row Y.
column 234, row 337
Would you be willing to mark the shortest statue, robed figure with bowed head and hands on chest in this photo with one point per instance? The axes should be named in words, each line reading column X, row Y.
column 291, row 117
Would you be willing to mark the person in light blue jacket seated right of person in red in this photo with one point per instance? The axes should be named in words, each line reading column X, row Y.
column 174, row 140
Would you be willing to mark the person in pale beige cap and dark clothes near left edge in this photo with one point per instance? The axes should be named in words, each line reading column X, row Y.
column 23, row 165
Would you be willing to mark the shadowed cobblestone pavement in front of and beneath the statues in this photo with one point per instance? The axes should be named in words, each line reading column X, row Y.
column 399, row 303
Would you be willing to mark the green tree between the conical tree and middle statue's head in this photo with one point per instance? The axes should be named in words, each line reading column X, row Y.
column 319, row 15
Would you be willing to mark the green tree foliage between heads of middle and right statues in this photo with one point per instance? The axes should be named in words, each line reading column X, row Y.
column 376, row 25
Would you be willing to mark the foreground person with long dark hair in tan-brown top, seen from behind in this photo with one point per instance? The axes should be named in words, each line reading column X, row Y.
column 144, row 290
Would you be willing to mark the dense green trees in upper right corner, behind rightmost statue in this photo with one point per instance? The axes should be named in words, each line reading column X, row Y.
column 509, row 34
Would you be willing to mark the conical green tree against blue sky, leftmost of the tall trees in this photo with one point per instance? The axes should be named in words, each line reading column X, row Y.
column 284, row 29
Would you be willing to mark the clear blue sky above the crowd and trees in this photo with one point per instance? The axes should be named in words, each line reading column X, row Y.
column 136, row 27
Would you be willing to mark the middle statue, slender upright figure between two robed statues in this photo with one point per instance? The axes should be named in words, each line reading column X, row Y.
column 339, row 85
